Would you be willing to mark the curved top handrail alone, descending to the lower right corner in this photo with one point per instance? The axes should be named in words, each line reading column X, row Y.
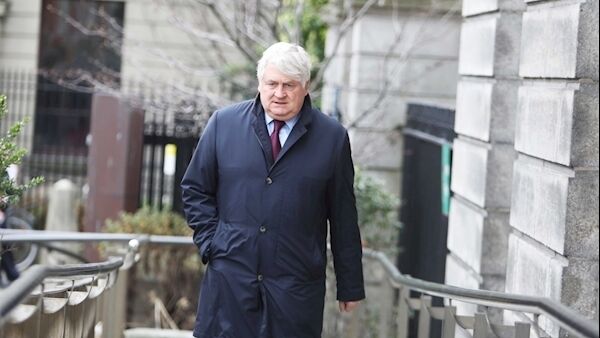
column 562, row 314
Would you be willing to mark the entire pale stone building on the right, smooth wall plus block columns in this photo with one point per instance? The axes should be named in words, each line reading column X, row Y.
column 524, row 211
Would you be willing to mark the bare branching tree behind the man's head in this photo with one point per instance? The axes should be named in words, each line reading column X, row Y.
column 228, row 37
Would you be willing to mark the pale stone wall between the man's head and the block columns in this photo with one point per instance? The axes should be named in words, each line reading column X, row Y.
column 385, row 61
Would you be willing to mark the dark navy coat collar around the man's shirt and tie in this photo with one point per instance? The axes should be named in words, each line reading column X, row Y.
column 260, row 129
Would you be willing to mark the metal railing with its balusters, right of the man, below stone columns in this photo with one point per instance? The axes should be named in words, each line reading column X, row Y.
column 478, row 324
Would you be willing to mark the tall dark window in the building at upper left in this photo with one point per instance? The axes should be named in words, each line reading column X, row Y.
column 80, row 47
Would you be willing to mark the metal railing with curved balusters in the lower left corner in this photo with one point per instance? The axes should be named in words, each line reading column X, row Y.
column 70, row 300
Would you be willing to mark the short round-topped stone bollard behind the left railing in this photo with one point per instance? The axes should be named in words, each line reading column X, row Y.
column 62, row 216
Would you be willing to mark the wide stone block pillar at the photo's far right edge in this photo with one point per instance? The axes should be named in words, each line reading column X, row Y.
column 553, row 247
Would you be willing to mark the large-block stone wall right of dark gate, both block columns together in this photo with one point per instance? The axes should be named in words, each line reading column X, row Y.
column 524, row 217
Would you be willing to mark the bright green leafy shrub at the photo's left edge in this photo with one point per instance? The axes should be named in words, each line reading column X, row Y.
column 11, row 153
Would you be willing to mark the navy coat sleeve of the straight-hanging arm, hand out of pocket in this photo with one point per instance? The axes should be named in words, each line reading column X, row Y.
column 344, row 232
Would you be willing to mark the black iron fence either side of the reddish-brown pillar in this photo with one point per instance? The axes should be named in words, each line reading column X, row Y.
column 56, row 136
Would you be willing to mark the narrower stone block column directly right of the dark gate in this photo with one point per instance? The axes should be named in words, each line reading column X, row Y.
column 483, row 152
